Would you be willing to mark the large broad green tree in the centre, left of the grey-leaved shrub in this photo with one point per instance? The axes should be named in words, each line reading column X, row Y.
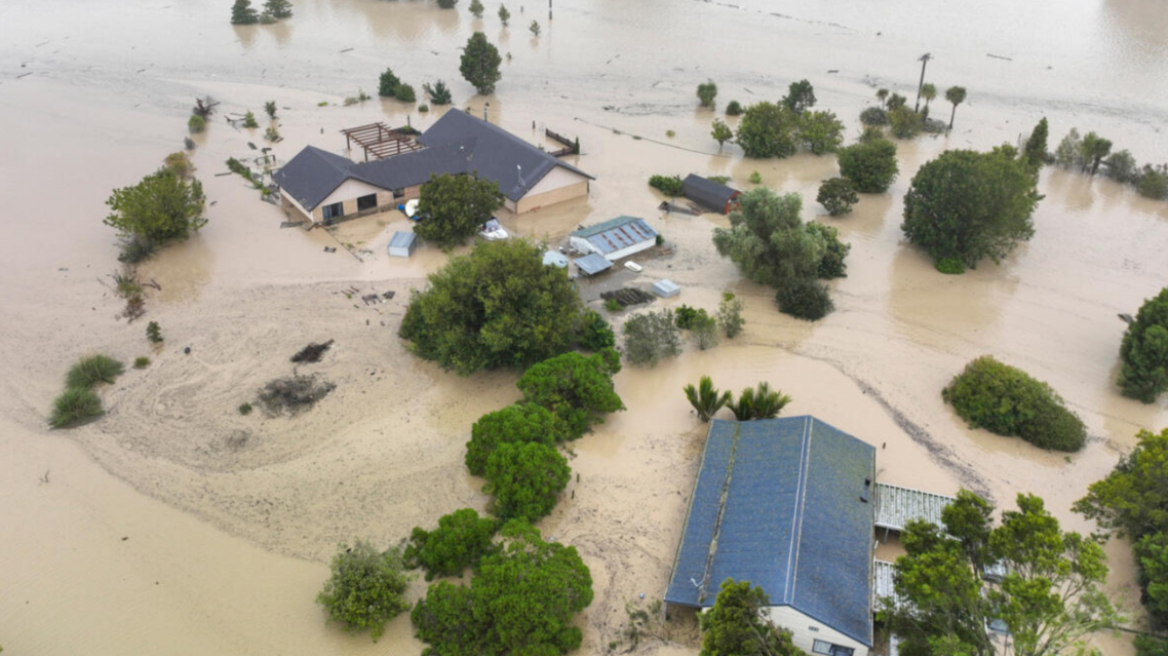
column 498, row 306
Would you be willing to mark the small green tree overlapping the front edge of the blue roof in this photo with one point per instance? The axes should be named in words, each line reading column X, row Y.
column 739, row 625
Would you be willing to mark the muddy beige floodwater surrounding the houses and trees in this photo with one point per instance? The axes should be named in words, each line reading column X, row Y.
column 175, row 526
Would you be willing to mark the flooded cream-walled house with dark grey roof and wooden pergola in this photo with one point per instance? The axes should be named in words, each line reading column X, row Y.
column 324, row 189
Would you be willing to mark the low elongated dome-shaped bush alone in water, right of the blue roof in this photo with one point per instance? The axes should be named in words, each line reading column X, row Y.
column 1009, row 402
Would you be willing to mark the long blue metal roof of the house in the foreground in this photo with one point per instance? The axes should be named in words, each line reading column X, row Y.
column 778, row 504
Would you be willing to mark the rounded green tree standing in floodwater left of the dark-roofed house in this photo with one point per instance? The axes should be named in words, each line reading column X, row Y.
column 162, row 208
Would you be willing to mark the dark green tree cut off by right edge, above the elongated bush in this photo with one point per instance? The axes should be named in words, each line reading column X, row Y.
column 1144, row 352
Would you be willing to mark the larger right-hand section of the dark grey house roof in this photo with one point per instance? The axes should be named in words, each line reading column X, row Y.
column 495, row 153
